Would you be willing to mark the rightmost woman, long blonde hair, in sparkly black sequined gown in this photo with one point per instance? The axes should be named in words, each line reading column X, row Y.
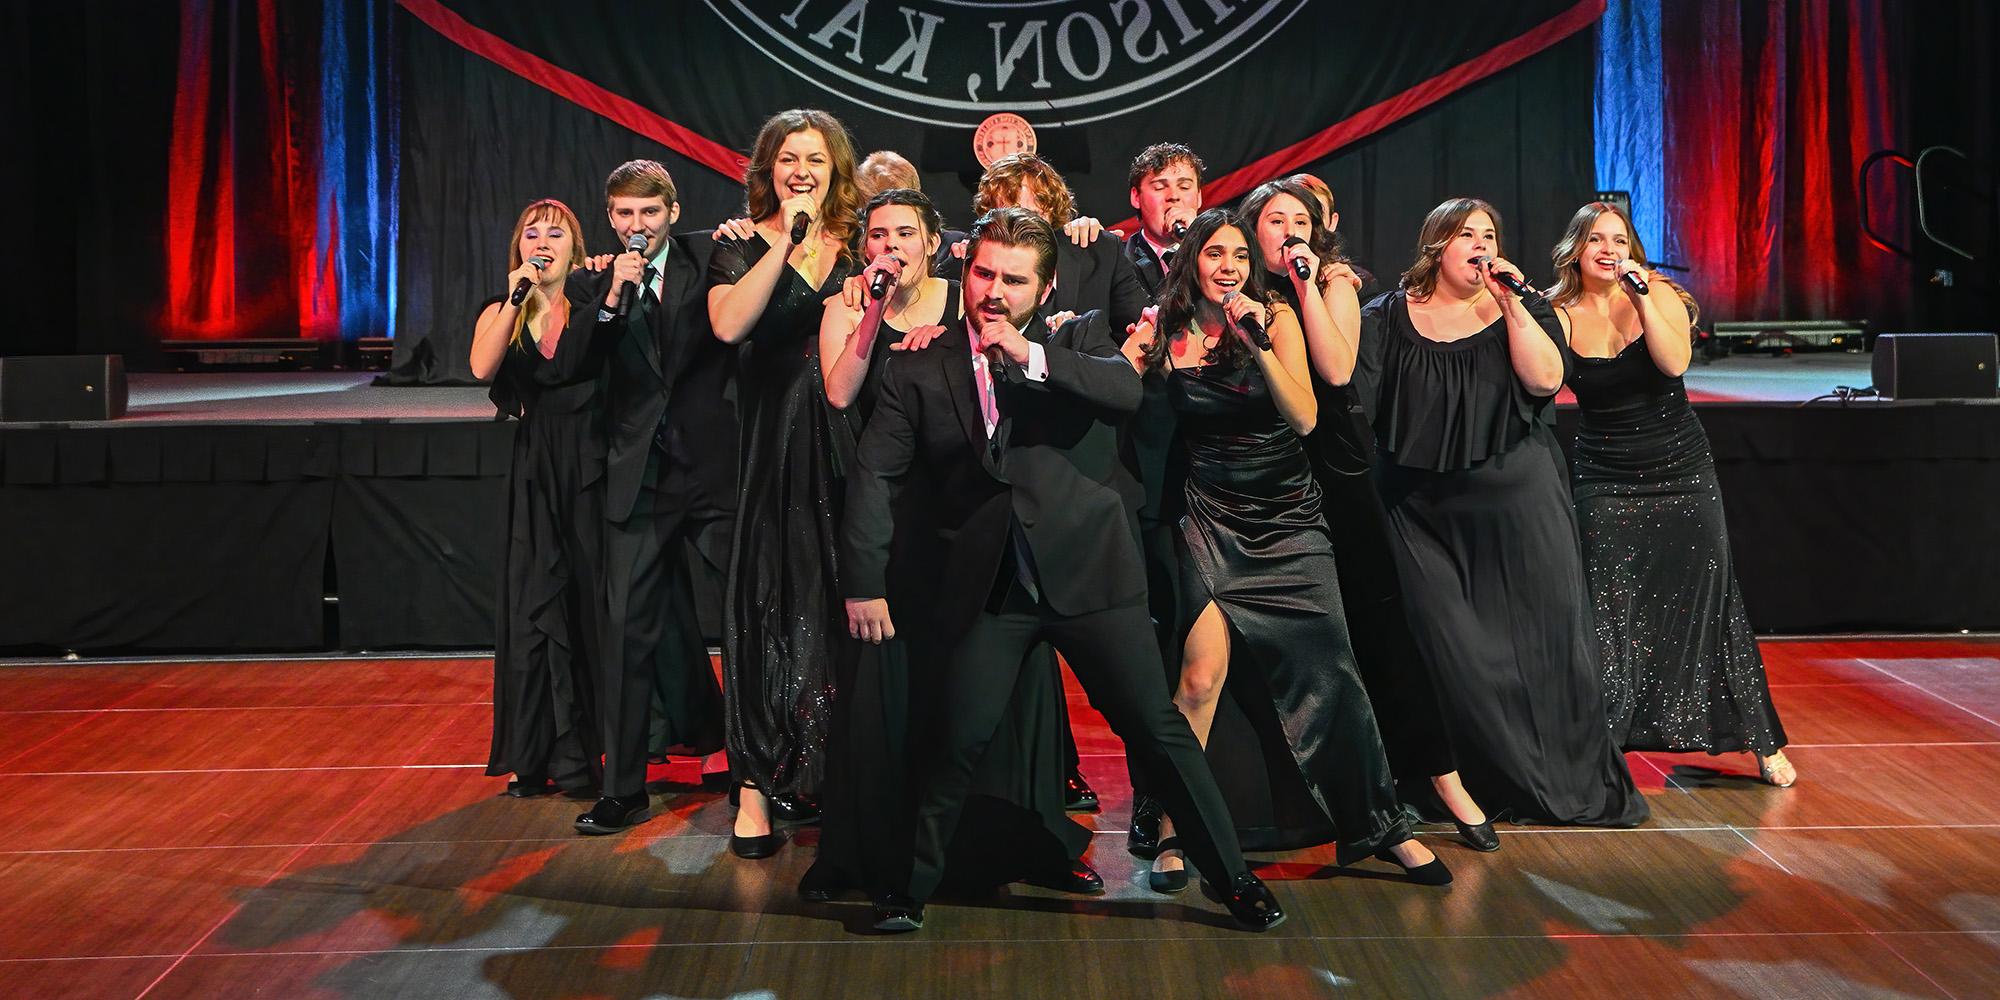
column 1681, row 665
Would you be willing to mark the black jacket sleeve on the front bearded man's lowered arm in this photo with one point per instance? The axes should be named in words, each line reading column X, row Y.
column 887, row 451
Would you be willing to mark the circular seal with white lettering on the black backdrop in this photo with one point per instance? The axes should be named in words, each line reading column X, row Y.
column 953, row 63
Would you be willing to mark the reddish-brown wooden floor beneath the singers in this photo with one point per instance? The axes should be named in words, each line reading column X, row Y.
column 323, row 829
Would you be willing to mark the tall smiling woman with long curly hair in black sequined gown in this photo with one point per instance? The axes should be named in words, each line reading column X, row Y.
column 785, row 629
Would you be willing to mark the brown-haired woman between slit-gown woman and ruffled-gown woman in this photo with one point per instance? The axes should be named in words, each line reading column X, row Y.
column 1293, row 239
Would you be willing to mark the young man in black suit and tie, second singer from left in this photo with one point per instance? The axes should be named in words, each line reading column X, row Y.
column 671, row 491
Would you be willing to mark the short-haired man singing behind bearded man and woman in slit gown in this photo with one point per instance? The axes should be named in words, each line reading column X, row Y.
column 1167, row 193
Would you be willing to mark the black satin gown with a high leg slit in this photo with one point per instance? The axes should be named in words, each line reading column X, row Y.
column 1253, row 543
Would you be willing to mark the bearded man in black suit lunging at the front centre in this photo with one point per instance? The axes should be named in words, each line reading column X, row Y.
column 1009, row 431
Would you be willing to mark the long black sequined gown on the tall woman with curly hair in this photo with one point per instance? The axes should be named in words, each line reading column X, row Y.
column 785, row 637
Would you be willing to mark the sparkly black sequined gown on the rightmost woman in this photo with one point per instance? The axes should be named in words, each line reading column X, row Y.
column 1681, row 665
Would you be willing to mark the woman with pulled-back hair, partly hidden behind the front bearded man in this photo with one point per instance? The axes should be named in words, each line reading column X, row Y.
column 883, row 719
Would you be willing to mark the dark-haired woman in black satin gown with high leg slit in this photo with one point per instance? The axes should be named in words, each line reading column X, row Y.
column 1259, row 579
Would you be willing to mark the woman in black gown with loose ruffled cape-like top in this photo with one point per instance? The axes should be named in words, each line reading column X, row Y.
column 1455, row 373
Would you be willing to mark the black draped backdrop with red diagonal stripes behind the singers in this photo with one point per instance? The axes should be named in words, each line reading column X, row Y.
column 507, row 103
